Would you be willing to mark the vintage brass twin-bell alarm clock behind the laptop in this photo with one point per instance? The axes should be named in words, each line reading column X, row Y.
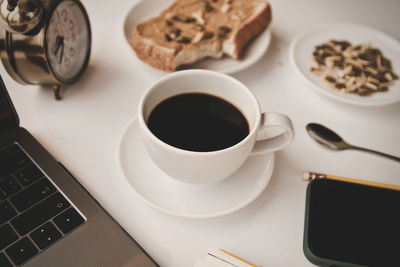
column 45, row 42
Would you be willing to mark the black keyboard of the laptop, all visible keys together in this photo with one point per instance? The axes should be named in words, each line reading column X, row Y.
column 33, row 212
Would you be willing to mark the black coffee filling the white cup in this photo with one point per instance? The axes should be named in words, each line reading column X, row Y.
column 198, row 122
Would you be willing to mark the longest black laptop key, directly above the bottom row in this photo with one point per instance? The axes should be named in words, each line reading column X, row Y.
column 40, row 213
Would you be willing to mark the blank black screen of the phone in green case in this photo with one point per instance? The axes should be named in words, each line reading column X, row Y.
column 354, row 223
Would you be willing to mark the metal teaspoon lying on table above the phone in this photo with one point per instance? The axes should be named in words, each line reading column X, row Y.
column 333, row 141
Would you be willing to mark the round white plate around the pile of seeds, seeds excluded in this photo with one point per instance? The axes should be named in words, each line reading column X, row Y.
column 304, row 44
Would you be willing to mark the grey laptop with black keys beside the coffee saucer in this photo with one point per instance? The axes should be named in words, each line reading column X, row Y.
column 46, row 217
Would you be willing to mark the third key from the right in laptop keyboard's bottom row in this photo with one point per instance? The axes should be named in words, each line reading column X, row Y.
column 21, row 251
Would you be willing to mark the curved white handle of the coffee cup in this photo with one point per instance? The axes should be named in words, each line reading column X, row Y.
column 267, row 140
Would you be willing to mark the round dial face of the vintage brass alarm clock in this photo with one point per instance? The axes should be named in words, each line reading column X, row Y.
column 68, row 41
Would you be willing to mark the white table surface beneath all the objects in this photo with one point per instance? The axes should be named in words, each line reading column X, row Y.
column 83, row 131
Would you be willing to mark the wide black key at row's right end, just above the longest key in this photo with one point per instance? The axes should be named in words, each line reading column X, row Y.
column 33, row 194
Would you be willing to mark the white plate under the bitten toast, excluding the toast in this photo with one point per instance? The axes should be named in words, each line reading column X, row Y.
column 146, row 9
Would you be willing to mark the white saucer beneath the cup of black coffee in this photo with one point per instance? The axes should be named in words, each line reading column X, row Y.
column 192, row 201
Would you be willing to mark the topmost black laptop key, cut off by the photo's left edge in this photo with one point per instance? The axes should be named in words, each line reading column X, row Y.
column 12, row 158
